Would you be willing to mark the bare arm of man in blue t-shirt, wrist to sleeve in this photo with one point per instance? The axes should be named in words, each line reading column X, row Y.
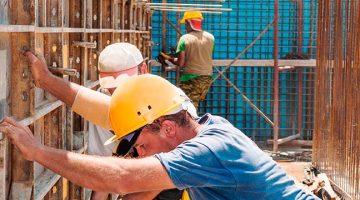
column 105, row 174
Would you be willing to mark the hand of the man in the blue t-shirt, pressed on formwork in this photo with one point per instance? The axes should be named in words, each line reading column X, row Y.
column 21, row 137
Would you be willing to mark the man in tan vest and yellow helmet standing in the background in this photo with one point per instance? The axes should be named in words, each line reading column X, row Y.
column 194, row 56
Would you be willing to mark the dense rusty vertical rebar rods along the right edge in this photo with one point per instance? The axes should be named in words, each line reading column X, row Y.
column 337, row 103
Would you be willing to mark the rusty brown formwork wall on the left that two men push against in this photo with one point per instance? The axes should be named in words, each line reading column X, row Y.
column 70, row 35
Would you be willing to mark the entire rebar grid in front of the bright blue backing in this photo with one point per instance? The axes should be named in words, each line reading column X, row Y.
column 233, row 32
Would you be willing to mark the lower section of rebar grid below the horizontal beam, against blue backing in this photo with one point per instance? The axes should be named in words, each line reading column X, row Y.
column 257, row 84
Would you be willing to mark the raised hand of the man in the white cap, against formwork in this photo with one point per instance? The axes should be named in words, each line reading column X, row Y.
column 38, row 67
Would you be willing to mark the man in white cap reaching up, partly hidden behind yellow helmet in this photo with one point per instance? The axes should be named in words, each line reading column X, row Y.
column 117, row 62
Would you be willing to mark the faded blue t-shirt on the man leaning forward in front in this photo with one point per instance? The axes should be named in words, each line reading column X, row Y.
column 223, row 163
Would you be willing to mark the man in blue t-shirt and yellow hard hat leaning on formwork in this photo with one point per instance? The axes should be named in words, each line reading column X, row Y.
column 207, row 156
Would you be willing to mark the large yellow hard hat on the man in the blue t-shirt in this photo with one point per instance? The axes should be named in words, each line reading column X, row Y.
column 139, row 101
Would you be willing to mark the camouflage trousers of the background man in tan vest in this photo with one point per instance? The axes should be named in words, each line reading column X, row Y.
column 196, row 88
